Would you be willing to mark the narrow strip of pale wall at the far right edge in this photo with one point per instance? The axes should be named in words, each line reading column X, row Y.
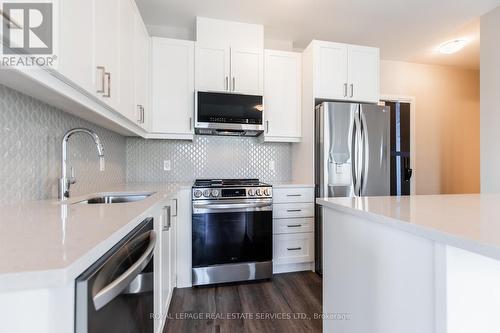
column 490, row 101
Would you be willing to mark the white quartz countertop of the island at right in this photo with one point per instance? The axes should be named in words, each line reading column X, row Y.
column 470, row 222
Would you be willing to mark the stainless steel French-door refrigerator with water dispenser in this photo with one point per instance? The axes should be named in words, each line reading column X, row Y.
column 352, row 155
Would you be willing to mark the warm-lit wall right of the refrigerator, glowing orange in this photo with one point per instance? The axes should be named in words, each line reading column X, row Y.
column 447, row 123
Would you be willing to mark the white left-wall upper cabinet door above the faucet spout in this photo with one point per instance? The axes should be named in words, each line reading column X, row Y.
column 106, row 29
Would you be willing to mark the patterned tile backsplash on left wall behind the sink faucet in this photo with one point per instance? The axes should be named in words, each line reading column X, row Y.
column 30, row 150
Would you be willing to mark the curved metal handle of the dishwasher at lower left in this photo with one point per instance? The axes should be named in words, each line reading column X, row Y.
column 115, row 288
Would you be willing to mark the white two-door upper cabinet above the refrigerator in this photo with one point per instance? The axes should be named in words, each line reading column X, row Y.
column 346, row 72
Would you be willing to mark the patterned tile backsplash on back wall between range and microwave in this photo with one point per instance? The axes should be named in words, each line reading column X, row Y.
column 207, row 157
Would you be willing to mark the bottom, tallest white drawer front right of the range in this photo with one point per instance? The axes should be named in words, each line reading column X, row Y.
column 293, row 248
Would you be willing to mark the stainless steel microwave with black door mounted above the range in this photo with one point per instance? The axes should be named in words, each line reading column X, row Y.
column 228, row 114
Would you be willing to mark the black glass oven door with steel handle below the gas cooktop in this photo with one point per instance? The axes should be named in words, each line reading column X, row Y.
column 234, row 231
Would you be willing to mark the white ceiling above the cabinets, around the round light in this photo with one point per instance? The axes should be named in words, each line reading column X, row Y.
column 407, row 30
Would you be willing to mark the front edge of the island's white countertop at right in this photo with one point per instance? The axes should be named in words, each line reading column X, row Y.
column 418, row 230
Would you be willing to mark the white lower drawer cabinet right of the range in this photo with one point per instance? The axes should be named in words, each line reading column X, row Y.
column 293, row 229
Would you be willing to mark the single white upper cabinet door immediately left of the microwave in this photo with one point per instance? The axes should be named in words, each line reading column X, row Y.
column 173, row 86
